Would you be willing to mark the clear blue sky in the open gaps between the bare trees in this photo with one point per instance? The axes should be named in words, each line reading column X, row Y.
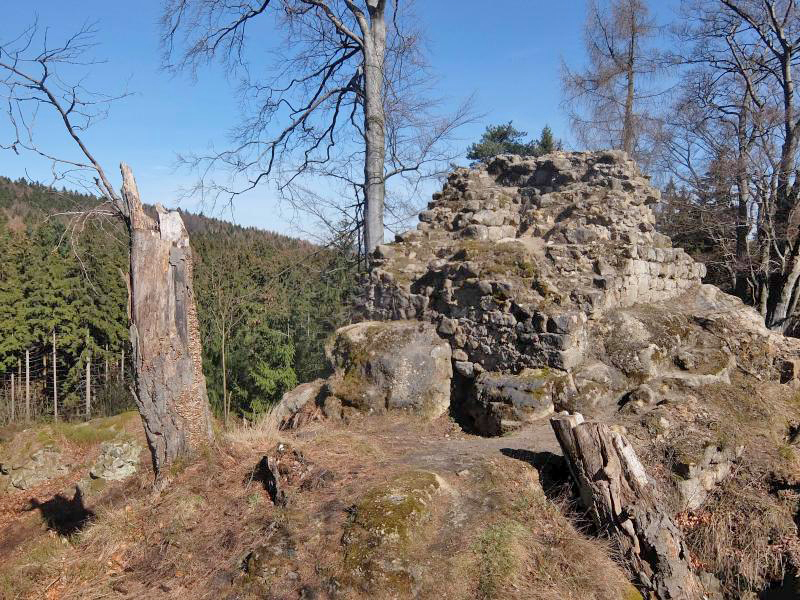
column 507, row 55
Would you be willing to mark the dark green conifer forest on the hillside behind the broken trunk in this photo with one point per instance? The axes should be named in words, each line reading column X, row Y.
column 266, row 303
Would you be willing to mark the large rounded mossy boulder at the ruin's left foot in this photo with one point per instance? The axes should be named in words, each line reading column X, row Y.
column 399, row 365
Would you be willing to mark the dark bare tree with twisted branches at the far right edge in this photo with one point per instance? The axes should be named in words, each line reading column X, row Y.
column 747, row 50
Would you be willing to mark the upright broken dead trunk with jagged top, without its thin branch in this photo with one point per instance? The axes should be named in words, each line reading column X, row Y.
column 170, row 385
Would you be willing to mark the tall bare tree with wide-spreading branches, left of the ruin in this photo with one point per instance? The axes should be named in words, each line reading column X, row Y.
column 347, row 98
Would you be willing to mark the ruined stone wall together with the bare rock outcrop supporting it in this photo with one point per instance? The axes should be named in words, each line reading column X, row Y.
column 554, row 263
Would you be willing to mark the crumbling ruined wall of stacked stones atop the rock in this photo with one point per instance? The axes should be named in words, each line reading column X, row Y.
column 511, row 258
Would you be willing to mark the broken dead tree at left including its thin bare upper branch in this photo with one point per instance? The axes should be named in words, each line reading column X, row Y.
column 170, row 386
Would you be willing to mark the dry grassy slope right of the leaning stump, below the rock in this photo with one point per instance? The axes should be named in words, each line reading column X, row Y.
column 745, row 531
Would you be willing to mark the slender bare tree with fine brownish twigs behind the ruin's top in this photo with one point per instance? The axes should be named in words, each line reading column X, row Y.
column 608, row 101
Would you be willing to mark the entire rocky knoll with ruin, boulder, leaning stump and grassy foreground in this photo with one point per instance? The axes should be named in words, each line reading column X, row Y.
column 426, row 465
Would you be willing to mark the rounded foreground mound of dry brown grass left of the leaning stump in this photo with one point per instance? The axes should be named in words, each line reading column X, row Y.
column 409, row 509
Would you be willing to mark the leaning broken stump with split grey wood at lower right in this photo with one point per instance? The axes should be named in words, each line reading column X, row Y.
column 623, row 501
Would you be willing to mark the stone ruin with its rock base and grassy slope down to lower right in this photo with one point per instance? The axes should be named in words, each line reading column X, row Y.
column 555, row 292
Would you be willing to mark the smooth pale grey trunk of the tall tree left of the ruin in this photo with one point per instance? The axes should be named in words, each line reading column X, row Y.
column 374, row 126
